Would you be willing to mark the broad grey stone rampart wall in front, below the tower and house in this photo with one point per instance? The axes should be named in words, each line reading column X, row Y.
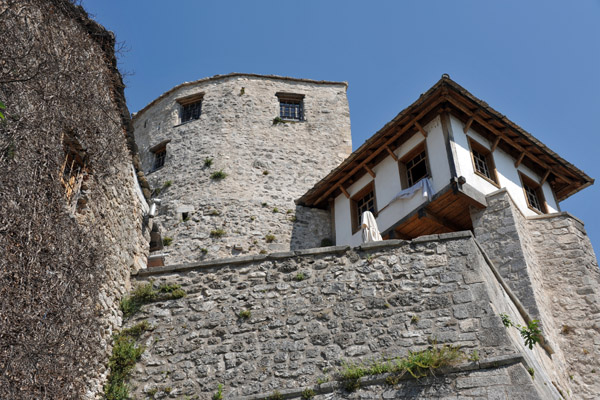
column 350, row 307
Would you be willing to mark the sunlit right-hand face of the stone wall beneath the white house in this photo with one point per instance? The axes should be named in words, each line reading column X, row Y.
column 570, row 281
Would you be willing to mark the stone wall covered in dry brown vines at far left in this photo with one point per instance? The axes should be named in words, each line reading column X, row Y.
column 62, row 271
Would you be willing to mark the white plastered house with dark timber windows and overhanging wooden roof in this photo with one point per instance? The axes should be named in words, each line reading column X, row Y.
column 426, row 170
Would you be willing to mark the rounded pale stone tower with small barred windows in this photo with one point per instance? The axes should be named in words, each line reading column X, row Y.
column 268, row 165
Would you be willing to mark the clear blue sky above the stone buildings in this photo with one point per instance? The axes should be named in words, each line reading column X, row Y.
column 537, row 62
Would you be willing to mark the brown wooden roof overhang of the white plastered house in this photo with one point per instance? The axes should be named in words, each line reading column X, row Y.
column 448, row 96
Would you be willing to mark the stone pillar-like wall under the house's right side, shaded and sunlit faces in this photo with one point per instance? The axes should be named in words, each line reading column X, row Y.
column 550, row 264
